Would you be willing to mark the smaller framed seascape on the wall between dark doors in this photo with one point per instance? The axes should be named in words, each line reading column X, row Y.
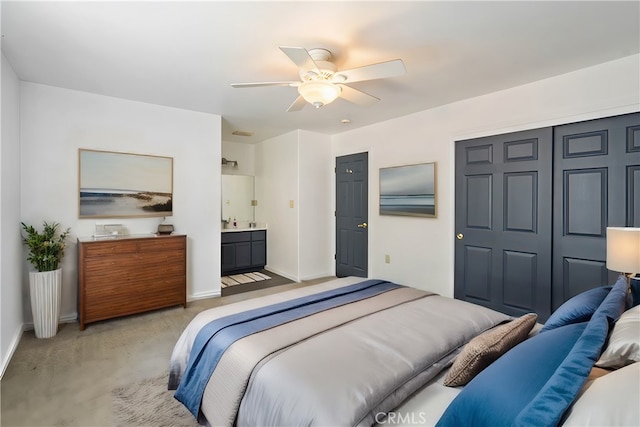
column 408, row 190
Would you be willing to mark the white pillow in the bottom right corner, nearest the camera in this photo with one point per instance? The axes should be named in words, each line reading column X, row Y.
column 610, row 400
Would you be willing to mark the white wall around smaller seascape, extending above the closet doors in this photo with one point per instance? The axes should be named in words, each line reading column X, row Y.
column 422, row 249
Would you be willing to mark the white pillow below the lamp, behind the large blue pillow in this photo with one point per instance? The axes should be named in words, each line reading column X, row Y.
column 624, row 342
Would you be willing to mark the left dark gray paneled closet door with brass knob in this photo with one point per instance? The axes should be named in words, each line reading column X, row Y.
column 503, row 222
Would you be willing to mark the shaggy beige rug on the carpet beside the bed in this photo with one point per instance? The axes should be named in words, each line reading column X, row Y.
column 149, row 403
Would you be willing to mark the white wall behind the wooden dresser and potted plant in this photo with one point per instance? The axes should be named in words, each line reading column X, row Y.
column 56, row 122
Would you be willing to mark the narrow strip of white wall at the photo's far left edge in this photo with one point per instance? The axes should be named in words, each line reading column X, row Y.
column 10, row 241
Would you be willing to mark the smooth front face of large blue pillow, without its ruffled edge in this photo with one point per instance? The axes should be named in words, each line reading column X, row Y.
column 499, row 393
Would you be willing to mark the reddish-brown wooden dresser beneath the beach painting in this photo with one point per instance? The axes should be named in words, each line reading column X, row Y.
column 128, row 275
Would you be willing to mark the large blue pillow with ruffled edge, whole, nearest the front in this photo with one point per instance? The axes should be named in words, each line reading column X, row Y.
column 536, row 381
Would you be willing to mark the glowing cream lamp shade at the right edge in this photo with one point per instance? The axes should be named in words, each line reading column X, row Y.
column 623, row 249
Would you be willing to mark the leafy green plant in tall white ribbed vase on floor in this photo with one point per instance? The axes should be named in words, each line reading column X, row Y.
column 45, row 285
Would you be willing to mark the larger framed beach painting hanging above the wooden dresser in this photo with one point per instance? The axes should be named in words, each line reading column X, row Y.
column 124, row 185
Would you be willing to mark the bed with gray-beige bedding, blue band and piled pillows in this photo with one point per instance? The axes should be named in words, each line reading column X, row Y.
column 363, row 352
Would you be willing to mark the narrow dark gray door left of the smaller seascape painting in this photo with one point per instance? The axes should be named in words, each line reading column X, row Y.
column 352, row 177
